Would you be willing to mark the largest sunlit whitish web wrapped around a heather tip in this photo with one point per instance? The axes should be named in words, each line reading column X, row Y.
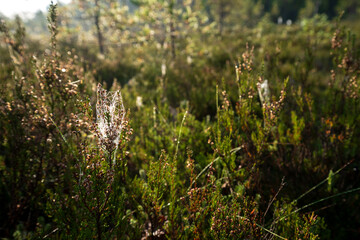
column 110, row 122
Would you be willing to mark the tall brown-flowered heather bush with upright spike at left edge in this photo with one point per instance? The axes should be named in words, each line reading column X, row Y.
column 42, row 95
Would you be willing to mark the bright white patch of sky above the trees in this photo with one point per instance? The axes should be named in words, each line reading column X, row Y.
column 25, row 8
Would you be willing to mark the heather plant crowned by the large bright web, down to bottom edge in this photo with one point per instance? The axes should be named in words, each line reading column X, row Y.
column 96, row 194
